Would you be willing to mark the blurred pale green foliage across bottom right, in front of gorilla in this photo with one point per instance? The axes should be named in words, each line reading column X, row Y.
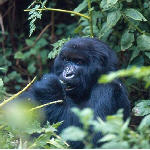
column 116, row 133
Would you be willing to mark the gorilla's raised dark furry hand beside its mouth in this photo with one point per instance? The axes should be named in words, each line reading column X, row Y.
column 49, row 88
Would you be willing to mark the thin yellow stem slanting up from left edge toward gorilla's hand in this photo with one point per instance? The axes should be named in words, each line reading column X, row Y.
column 15, row 95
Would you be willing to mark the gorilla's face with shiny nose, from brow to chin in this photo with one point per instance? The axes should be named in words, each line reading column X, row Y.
column 73, row 70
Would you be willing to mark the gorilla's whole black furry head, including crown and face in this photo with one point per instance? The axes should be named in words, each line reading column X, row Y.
column 81, row 62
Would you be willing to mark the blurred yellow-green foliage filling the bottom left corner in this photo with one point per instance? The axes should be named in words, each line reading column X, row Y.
column 18, row 125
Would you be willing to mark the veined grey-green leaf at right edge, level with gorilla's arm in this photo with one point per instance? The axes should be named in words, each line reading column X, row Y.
column 142, row 108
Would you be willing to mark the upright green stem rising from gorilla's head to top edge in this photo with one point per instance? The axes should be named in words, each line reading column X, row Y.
column 90, row 18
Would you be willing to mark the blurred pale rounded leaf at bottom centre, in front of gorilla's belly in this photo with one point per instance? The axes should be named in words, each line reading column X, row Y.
column 73, row 133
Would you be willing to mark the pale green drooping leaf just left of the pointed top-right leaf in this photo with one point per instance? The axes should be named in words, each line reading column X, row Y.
column 113, row 18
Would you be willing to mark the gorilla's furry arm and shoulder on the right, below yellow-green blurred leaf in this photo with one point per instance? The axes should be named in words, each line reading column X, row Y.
column 107, row 99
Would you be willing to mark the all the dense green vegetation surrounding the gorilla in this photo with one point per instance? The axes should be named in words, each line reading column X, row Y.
column 28, row 46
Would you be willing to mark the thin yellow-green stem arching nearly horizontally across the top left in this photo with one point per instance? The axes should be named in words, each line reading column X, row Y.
column 61, row 10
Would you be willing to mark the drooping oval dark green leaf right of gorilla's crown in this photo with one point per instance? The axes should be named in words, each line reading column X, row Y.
column 127, row 40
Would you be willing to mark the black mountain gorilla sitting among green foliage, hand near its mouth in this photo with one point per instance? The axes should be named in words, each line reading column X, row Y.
column 74, row 80
